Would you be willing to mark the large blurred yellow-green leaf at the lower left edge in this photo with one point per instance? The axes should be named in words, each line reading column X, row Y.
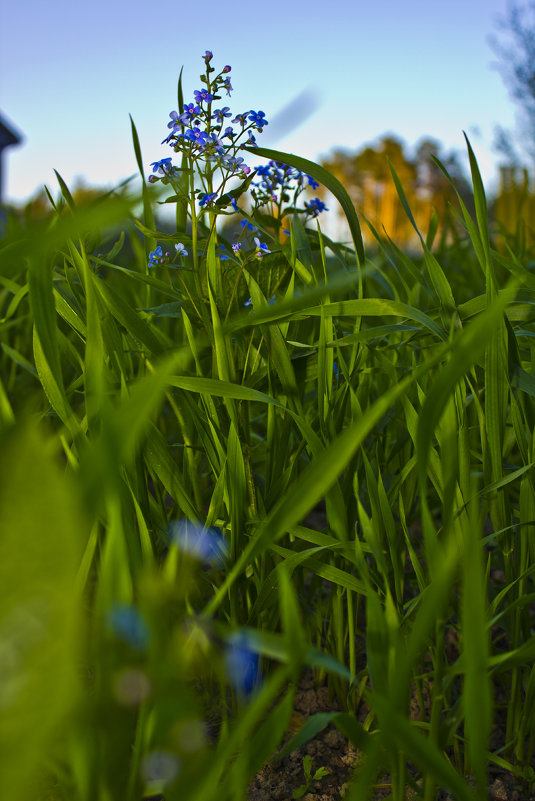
column 41, row 530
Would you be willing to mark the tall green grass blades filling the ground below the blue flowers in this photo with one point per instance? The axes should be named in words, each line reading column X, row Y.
column 395, row 389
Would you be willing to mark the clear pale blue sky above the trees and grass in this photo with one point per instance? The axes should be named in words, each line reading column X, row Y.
column 71, row 72
